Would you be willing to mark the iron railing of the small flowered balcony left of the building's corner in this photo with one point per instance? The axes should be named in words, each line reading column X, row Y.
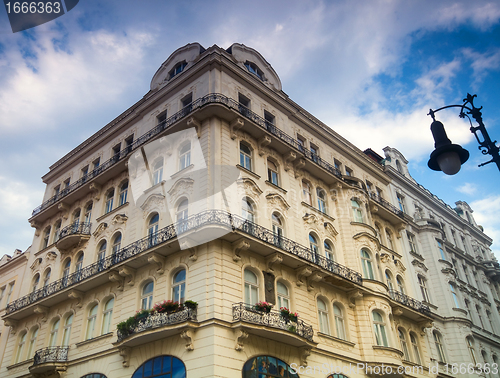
column 157, row 320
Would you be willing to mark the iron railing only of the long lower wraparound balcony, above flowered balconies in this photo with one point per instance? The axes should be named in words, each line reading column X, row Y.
column 206, row 218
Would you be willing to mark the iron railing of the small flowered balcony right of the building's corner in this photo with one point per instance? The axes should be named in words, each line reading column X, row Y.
column 246, row 313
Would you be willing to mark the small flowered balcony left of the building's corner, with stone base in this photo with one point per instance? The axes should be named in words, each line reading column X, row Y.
column 164, row 324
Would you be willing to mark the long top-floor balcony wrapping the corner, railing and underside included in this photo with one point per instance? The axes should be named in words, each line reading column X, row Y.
column 282, row 143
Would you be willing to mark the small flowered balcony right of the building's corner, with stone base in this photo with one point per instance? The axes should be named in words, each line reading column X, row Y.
column 293, row 331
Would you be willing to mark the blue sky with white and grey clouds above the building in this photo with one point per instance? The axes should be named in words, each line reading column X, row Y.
column 369, row 69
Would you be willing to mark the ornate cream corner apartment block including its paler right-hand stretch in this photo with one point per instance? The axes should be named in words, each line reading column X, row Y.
column 164, row 239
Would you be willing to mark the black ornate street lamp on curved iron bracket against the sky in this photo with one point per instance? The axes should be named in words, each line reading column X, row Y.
column 448, row 157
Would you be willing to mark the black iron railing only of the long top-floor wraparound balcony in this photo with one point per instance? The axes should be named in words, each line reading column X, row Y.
column 151, row 134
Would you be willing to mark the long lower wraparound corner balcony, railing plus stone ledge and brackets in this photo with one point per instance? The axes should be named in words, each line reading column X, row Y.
column 204, row 223
